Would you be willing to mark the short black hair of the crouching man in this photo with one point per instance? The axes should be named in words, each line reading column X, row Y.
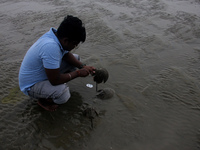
column 72, row 28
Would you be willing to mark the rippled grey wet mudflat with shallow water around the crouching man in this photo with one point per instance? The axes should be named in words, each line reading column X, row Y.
column 152, row 52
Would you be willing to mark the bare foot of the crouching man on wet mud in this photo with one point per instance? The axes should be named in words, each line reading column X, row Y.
column 47, row 104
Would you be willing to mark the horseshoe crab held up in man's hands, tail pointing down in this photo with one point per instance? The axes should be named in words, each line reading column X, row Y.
column 101, row 75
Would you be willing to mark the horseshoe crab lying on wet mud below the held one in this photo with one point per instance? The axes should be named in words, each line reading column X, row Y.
column 105, row 93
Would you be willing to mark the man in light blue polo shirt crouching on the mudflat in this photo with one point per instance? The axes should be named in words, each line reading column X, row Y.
column 49, row 64
